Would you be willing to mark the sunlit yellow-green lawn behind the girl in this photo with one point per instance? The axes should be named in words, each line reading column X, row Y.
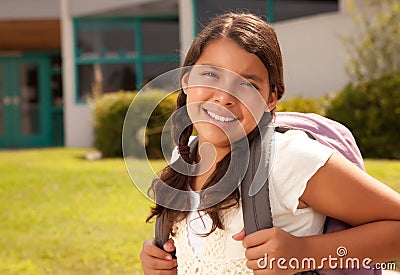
column 62, row 214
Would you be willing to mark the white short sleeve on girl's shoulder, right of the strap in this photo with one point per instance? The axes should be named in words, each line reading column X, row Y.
column 294, row 159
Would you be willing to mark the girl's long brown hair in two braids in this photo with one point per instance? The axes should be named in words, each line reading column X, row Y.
column 255, row 36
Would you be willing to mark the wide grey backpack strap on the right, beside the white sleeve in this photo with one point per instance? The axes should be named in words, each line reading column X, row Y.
column 254, row 187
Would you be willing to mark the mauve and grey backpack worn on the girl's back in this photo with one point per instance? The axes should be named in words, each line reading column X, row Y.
column 256, row 215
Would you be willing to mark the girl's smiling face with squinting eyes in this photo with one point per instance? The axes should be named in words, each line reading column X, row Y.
column 227, row 94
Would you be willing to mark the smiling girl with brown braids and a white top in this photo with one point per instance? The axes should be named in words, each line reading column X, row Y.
column 308, row 181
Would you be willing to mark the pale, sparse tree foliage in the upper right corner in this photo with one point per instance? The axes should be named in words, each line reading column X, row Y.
column 374, row 47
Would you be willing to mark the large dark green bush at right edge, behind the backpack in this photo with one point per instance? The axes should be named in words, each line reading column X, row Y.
column 372, row 111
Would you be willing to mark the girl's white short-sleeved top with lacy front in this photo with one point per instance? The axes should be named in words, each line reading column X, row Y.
column 296, row 158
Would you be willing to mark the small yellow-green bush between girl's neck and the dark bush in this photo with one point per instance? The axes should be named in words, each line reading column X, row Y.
column 303, row 105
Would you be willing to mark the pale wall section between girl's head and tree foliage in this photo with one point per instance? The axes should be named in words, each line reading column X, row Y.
column 313, row 53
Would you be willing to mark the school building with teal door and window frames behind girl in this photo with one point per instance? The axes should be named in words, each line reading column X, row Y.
column 55, row 54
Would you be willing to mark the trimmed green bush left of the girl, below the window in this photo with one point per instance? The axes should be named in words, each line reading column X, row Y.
column 109, row 111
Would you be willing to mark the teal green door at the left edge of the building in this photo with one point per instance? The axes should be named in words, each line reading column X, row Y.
column 25, row 103
